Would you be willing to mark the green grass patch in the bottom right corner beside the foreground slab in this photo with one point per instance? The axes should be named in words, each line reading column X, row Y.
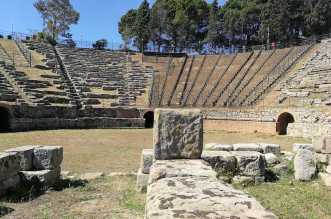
column 291, row 199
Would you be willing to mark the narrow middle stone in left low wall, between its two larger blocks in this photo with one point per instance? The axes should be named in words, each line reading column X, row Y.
column 26, row 155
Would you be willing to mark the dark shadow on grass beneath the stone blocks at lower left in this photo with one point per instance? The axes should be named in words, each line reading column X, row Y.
column 30, row 190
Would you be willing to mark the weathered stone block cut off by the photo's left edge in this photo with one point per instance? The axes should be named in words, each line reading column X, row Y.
column 9, row 165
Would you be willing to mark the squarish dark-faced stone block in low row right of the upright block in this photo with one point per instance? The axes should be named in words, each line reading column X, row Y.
column 250, row 163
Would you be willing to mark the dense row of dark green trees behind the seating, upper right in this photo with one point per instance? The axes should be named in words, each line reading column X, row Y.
column 196, row 24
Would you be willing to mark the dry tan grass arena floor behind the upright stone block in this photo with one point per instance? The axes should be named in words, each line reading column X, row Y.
column 118, row 150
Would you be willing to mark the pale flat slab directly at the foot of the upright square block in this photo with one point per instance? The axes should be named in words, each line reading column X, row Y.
column 180, row 168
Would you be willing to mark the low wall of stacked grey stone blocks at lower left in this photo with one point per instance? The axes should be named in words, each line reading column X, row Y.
column 38, row 166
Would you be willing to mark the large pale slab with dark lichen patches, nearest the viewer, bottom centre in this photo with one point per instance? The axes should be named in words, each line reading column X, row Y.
column 194, row 197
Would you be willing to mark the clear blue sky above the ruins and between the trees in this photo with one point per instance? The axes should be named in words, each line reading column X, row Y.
column 98, row 20
